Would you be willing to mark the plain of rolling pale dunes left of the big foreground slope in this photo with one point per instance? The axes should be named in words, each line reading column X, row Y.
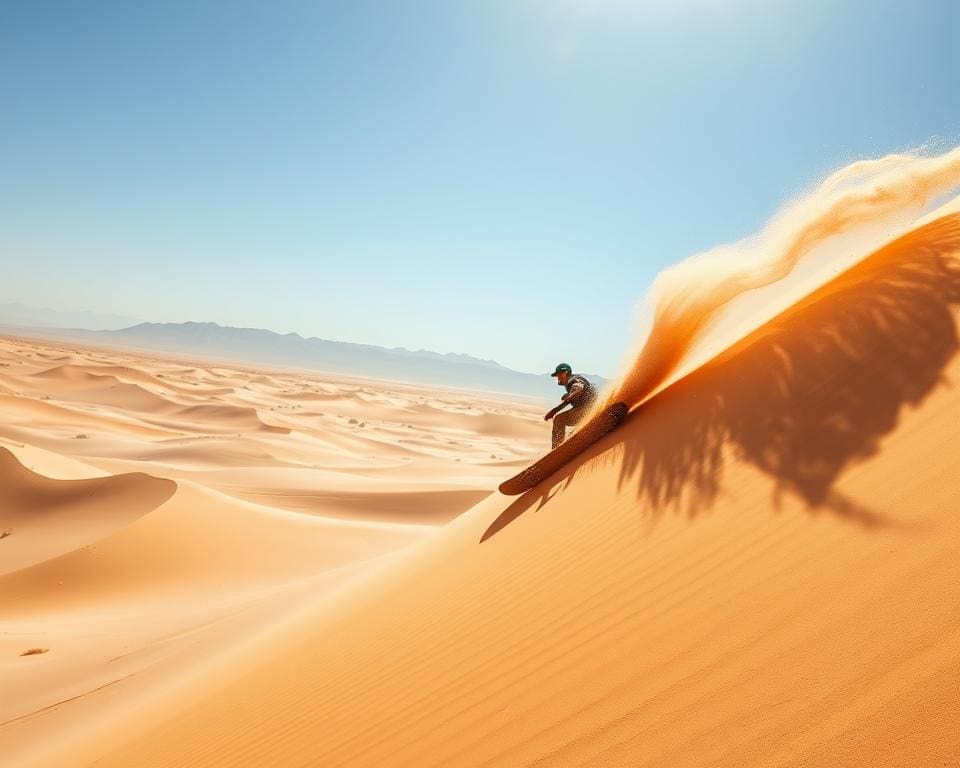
column 156, row 513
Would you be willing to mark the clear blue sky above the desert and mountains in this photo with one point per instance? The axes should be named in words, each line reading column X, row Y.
column 500, row 177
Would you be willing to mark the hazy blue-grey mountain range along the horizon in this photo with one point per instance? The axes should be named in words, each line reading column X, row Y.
column 292, row 350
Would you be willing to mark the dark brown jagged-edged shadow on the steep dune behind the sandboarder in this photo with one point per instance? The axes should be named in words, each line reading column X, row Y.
column 812, row 392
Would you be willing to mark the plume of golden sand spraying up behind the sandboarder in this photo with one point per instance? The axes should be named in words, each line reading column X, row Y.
column 845, row 218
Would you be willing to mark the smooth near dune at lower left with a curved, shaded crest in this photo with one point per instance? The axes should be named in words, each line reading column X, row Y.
column 131, row 580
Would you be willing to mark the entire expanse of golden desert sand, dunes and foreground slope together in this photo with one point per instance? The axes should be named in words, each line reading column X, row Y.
column 759, row 568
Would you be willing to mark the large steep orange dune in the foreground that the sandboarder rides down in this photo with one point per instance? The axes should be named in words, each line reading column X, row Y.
column 758, row 568
